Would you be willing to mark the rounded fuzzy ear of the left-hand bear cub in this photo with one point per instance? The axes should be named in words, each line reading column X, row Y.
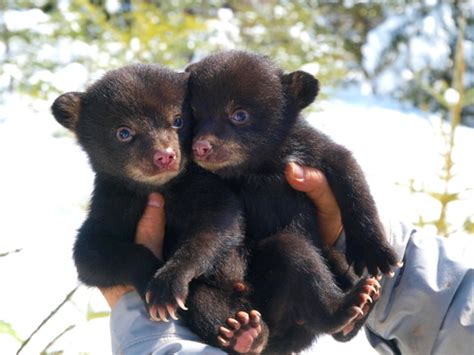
column 66, row 109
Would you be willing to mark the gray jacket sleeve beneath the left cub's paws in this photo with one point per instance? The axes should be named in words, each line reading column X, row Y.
column 133, row 333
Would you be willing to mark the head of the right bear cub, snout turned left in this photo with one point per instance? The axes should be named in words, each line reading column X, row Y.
column 244, row 108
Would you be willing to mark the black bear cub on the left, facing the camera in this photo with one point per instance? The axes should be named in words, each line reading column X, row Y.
column 135, row 126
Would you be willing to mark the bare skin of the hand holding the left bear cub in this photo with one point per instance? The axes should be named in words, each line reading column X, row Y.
column 150, row 233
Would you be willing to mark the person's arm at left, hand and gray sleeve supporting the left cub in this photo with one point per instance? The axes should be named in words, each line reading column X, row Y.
column 131, row 330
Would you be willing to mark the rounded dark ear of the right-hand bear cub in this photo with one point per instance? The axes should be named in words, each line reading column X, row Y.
column 300, row 87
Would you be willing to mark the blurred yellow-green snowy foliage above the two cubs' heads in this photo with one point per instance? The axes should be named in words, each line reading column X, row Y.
column 171, row 33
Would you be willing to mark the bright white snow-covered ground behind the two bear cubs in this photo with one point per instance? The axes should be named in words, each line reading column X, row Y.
column 45, row 186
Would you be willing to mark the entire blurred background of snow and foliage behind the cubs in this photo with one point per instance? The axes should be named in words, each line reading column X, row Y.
column 397, row 88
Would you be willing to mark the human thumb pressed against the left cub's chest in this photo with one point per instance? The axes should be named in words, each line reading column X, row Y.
column 151, row 227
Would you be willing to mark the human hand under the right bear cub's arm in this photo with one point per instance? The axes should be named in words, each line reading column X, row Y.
column 314, row 183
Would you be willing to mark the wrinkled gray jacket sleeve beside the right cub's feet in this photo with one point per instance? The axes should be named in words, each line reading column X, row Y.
column 428, row 307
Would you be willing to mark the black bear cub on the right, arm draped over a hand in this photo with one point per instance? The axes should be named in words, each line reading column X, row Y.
column 247, row 128
